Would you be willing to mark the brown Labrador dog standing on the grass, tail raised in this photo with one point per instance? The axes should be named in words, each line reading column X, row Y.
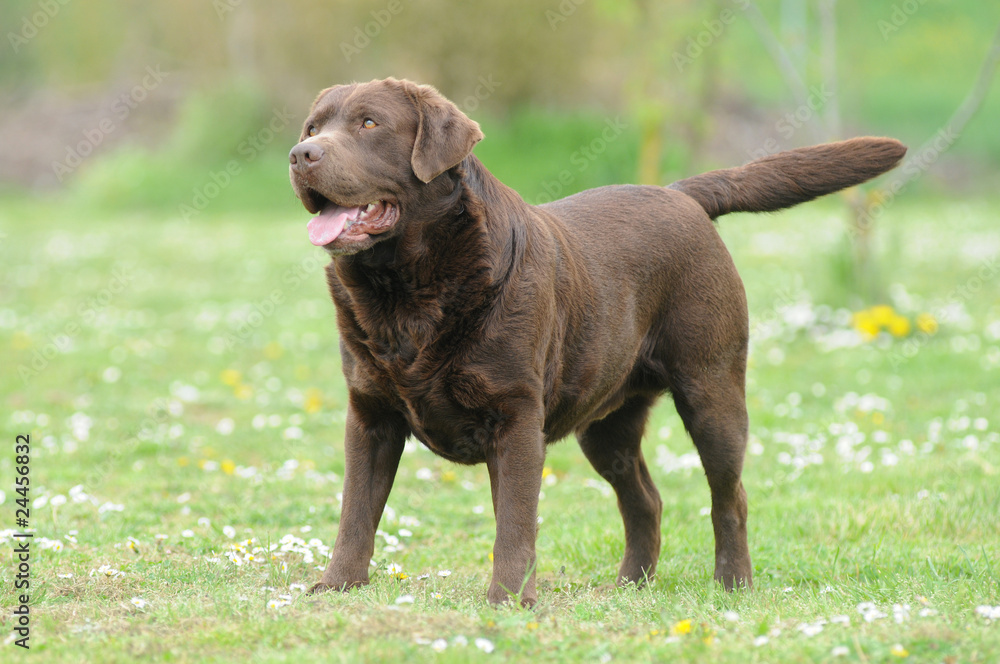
column 488, row 328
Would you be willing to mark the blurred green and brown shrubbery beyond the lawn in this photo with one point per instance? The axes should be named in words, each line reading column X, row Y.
column 125, row 105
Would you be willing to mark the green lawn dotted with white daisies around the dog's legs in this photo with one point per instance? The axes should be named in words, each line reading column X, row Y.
column 130, row 408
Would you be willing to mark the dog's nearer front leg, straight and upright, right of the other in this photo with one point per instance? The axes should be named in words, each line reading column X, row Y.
column 515, row 461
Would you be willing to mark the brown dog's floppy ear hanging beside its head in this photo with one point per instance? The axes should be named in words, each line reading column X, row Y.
column 445, row 135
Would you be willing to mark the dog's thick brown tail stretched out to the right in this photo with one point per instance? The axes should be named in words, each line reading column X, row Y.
column 788, row 178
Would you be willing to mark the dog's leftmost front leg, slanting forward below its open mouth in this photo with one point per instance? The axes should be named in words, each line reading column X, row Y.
column 373, row 443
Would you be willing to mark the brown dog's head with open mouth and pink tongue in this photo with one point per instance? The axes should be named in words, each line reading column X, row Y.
column 365, row 152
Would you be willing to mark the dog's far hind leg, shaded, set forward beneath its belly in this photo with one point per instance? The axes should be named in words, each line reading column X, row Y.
column 612, row 445
